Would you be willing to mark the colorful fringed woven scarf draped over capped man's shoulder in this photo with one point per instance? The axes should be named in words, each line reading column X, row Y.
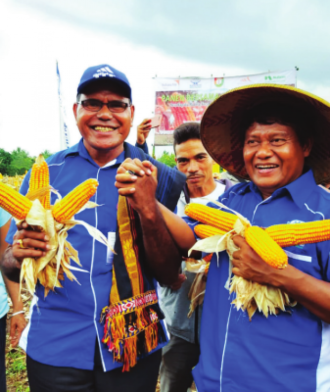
column 131, row 320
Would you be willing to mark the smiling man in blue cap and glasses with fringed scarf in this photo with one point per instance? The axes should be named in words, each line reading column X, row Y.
column 105, row 332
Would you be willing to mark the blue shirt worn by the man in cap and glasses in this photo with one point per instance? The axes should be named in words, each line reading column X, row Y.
column 65, row 325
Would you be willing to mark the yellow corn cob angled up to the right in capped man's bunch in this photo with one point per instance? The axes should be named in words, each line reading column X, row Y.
column 66, row 208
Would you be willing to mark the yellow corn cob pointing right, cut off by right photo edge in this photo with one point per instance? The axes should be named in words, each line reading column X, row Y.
column 300, row 233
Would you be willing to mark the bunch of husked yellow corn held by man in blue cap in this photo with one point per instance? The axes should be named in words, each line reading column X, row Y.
column 35, row 209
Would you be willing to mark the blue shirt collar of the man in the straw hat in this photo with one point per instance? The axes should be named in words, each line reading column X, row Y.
column 299, row 190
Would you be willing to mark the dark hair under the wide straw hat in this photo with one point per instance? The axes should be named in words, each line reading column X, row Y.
column 299, row 118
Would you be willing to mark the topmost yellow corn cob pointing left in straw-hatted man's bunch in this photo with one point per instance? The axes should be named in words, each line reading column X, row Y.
column 211, row 216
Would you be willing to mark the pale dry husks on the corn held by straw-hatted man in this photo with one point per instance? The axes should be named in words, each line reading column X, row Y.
column 250, row 296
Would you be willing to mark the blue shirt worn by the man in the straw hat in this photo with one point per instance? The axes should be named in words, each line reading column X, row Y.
column 284, row 353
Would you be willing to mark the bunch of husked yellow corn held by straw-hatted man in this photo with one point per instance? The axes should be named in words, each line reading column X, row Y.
column 220, row 226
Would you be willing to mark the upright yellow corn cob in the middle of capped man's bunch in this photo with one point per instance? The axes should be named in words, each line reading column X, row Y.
column 40, row 179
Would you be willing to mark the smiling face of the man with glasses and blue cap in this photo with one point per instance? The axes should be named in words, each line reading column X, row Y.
column 103, row 131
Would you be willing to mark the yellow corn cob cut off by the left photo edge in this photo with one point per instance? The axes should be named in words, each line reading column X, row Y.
column 13, row 202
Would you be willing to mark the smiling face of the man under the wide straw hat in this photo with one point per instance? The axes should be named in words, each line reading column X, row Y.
column 273, row 156
